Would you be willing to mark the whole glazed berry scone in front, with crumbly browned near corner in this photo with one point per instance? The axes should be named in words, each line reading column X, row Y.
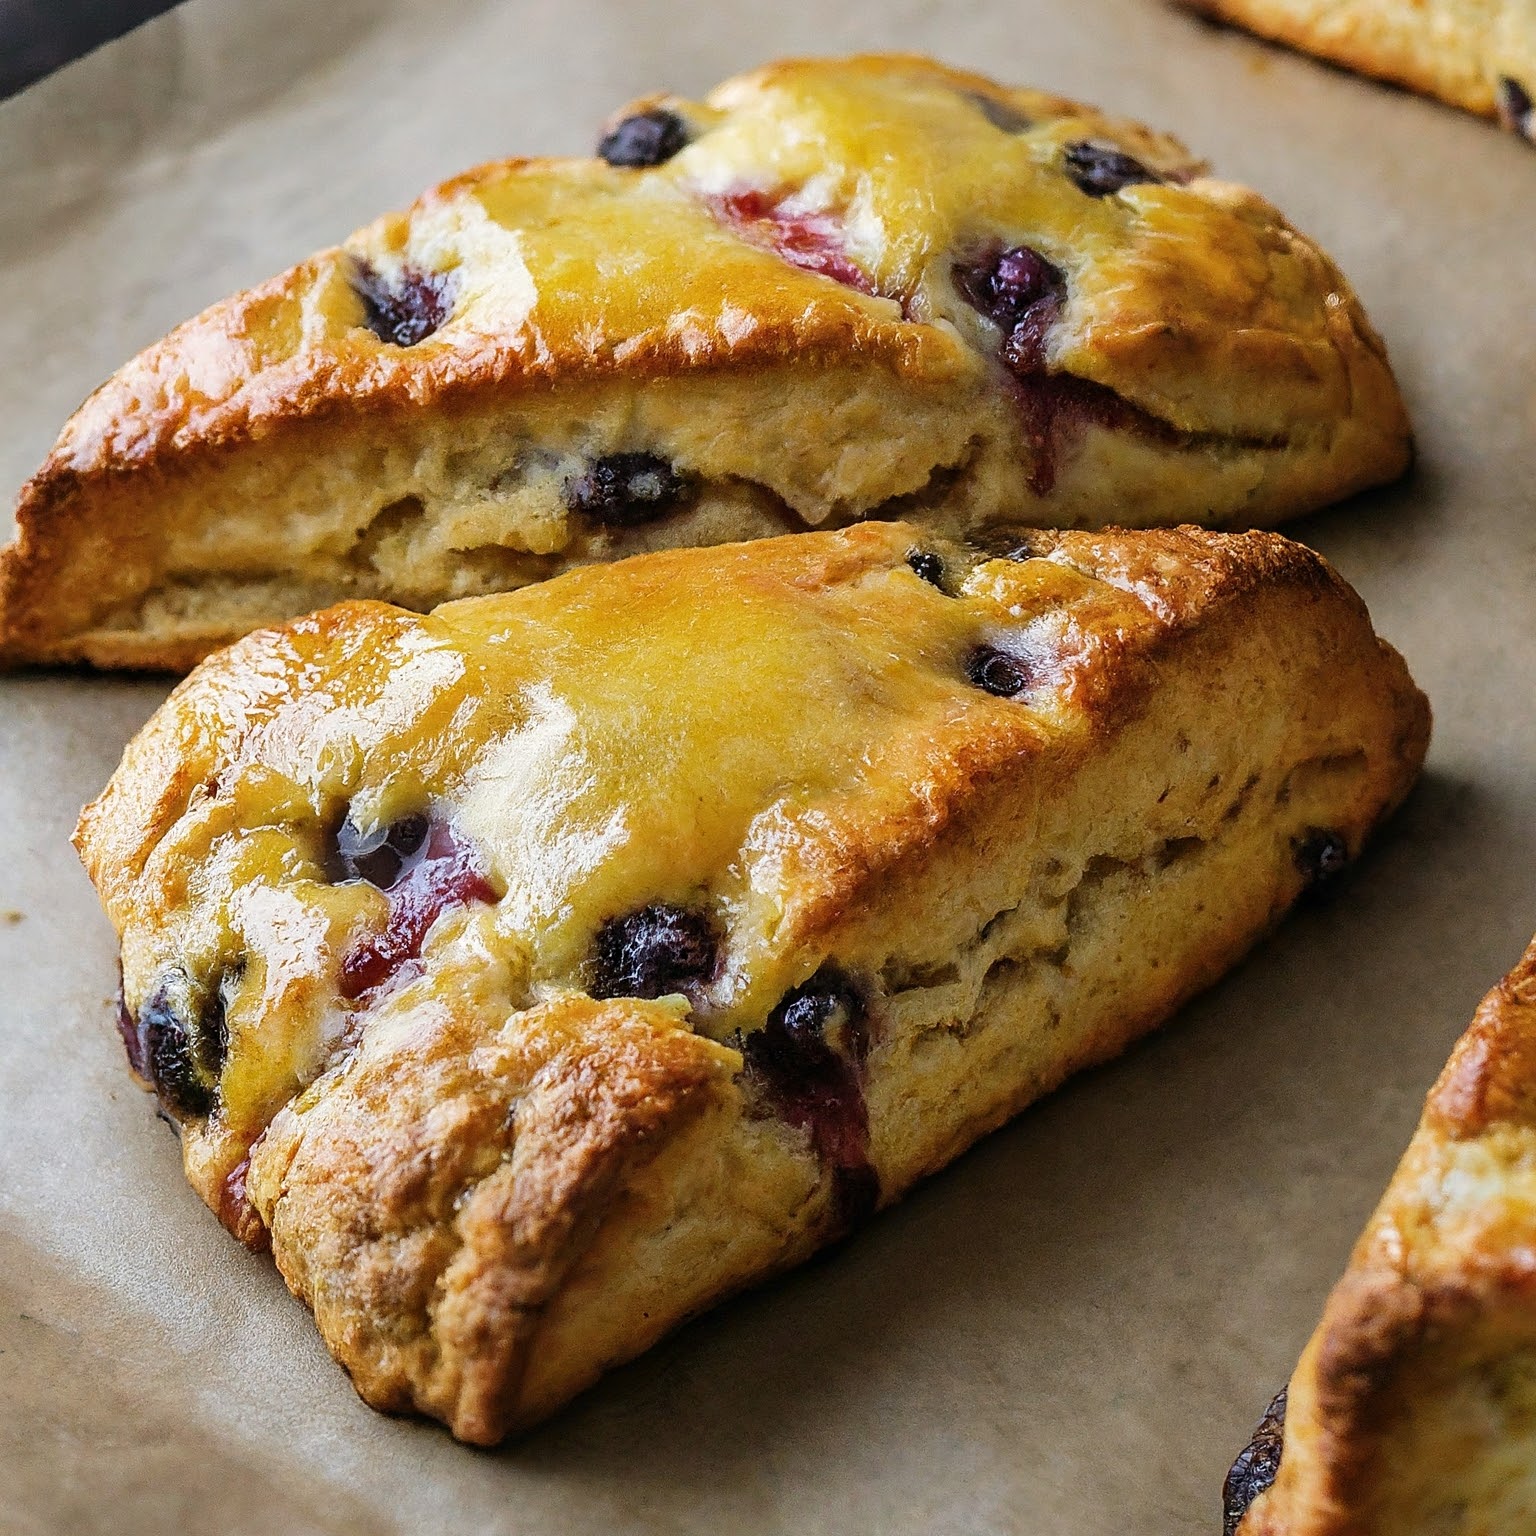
column 543, row 970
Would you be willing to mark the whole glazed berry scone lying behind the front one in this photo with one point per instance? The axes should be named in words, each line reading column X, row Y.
column 832, row 291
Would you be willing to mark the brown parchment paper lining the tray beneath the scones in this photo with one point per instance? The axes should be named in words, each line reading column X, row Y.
column 1074, row 1329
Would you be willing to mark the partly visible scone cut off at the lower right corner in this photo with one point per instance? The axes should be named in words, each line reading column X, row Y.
column 1414, row 1408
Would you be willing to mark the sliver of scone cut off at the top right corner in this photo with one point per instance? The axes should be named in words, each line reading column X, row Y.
column 1477, row 55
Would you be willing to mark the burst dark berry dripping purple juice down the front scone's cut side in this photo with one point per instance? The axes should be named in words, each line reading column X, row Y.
column 807, row 1061
